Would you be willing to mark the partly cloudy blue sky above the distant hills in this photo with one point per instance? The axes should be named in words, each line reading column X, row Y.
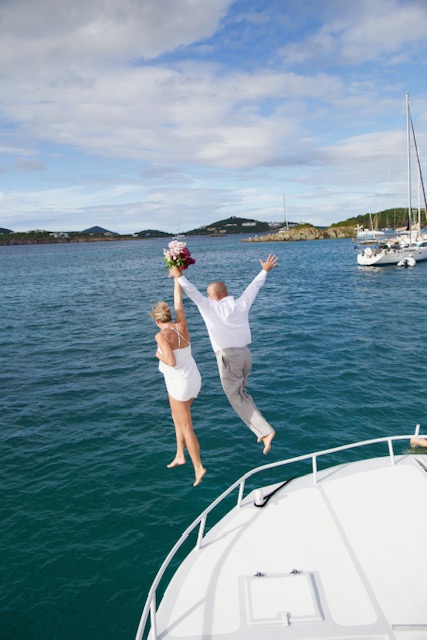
column 173, row 114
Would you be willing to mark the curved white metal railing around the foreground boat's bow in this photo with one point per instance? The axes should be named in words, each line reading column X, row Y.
column 151, row 606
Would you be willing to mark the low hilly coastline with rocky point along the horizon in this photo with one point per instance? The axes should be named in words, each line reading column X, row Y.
column 270, row 231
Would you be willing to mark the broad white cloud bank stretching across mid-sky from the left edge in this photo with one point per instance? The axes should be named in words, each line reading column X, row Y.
column 156, row 114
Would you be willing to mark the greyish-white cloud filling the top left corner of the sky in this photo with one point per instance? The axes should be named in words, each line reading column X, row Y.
column 103, row 29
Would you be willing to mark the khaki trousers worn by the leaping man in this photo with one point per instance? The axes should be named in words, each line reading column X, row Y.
column 234, row 365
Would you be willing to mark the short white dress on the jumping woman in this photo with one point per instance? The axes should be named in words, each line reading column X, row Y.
column 183, row 381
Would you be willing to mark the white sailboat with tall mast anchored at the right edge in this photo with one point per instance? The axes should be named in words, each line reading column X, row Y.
column 408, row 247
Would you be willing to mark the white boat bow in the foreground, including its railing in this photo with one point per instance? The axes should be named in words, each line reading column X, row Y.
column 337, row 553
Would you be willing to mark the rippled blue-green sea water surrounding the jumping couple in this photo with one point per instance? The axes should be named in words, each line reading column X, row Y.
column 88, row 508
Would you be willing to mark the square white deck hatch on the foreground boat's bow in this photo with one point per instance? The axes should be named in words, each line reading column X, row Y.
column 282, row 599
